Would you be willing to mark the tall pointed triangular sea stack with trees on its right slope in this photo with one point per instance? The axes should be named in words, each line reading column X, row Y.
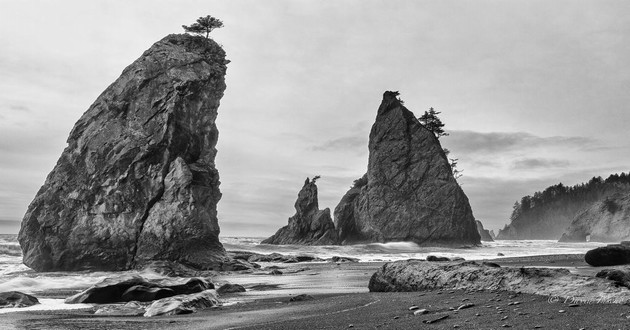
column 409, row 192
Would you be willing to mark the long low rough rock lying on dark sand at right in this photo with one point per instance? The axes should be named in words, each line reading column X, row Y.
column 469, row 275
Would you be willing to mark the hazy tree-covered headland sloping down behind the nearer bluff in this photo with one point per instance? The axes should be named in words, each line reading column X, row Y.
column 547, row 214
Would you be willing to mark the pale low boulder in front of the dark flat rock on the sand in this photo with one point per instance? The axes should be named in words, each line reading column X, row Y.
column 183, row 304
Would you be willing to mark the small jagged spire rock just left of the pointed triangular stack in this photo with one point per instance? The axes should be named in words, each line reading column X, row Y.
column 309, row 225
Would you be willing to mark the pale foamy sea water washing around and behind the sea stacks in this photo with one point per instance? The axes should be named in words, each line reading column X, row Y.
column 14, row 276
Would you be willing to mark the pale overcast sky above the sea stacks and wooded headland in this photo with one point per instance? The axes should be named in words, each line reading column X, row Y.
column 532, row 92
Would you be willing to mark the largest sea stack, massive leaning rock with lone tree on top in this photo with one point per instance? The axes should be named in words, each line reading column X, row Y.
column 137, row 181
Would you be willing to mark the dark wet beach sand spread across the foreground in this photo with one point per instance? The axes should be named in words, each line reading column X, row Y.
column 342, row 301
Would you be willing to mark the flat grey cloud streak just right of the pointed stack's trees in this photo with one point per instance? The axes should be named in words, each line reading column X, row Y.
column 472, row 142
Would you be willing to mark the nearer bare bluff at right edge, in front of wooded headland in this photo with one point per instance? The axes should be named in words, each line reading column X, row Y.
column 605, row 221
